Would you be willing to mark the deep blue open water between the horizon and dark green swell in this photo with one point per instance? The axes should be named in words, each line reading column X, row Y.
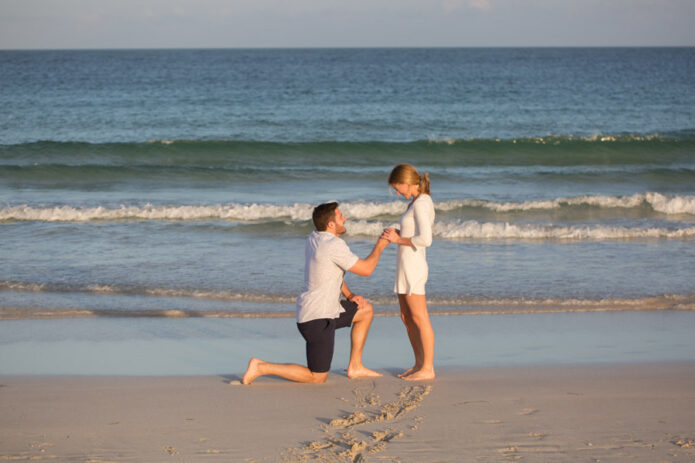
column 343, row 94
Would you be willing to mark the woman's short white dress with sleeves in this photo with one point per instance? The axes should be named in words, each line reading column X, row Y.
column 411, row 266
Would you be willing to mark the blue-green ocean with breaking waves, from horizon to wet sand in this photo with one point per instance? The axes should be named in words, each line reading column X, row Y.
column 167, row 184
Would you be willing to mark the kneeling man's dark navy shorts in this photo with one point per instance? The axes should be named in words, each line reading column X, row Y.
column 319, row 335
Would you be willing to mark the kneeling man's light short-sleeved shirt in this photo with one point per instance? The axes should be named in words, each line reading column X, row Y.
column 328, row 257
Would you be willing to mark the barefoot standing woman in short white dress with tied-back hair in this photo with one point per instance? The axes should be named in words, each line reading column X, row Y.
column 413, row 239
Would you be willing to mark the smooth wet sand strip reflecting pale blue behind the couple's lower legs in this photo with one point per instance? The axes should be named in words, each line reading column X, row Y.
column 199, row 346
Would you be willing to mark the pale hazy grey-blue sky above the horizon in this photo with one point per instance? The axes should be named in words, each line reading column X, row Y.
column 95, row 24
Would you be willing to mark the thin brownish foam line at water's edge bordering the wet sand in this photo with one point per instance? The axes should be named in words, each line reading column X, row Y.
column 251, row 306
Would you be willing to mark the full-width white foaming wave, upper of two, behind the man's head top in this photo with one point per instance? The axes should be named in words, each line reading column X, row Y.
column 355, row 210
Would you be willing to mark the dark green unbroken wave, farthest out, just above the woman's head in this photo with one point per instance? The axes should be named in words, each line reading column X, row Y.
column 603, row 150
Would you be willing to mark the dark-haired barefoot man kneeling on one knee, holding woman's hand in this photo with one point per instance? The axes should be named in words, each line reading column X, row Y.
column 320, row 310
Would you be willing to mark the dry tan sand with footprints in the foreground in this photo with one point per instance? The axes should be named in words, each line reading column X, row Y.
column 638, row 412
